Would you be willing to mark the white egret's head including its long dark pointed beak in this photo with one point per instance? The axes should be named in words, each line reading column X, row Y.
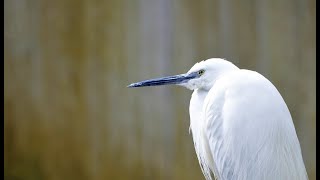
column 201, row 76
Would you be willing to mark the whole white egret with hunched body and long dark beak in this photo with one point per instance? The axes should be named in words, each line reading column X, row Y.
column 241, row 126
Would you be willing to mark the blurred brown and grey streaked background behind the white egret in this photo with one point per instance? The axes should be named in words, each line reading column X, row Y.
column 69, row 115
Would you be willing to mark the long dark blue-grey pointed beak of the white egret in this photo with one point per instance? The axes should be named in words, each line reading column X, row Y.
column 176, row 79
